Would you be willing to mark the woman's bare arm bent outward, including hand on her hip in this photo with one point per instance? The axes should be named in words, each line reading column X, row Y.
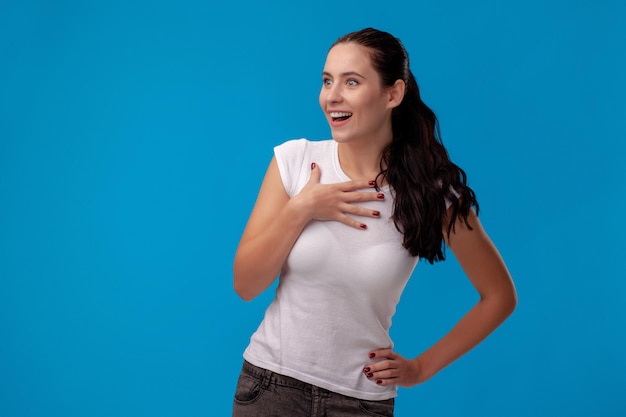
column 485, row 268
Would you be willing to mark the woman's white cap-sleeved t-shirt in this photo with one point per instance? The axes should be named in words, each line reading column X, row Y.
column 337, row 291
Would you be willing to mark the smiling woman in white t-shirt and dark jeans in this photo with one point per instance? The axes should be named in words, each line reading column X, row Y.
column 344, row 222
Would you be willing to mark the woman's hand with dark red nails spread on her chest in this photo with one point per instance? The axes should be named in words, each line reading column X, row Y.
column 335, row 202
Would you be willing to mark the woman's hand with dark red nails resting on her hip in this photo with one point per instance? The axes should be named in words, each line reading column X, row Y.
column 393, row 369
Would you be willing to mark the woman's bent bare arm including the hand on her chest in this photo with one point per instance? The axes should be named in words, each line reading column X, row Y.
column 276, row 222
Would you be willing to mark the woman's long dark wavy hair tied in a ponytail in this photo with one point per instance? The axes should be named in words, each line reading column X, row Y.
column 415, row 163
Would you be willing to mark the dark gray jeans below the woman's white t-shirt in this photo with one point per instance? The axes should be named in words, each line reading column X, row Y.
column 262, row 393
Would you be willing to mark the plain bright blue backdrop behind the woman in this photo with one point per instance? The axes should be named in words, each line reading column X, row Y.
column 134, row 136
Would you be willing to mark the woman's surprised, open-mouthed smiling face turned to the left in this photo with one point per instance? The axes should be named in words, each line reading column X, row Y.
column 352, row 97
